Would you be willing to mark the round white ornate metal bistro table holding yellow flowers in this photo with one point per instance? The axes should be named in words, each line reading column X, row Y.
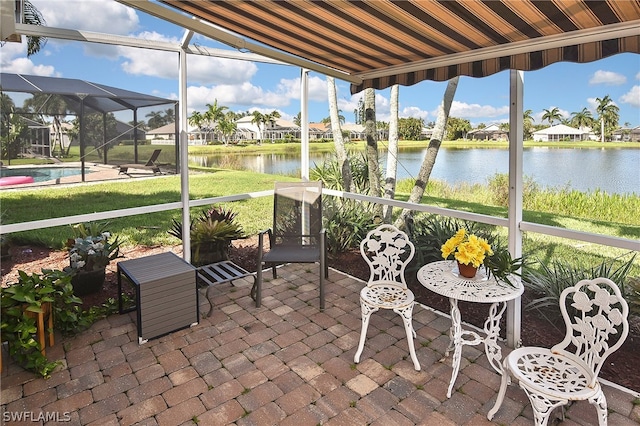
column 443, row 278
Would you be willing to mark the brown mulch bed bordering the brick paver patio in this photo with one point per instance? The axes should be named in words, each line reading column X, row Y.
column 621, row 367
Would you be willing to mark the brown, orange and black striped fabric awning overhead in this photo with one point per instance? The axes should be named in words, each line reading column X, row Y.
column 379, row 43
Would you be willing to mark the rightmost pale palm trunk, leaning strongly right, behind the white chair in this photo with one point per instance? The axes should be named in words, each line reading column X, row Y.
column 432, row 151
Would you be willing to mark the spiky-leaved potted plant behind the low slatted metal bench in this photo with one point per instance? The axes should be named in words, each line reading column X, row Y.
column 211, row 234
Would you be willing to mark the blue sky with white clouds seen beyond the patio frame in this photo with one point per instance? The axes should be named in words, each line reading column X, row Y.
column 248, row 86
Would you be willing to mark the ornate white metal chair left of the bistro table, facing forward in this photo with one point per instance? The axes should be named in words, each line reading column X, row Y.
column 387, row 250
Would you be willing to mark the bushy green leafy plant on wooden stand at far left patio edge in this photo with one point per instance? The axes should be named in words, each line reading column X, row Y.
column 21, row 301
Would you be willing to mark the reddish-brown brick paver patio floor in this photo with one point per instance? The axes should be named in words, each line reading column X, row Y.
column 286, row 363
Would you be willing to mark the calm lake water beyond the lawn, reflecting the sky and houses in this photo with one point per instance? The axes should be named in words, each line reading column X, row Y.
column 586, row 170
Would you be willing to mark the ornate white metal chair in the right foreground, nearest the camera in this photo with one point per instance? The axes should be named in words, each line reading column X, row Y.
column 595, row 315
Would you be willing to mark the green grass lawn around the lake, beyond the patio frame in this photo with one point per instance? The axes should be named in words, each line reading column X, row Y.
column 596, row 213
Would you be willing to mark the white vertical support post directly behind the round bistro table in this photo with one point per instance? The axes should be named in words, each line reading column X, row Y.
column 516, row 135
